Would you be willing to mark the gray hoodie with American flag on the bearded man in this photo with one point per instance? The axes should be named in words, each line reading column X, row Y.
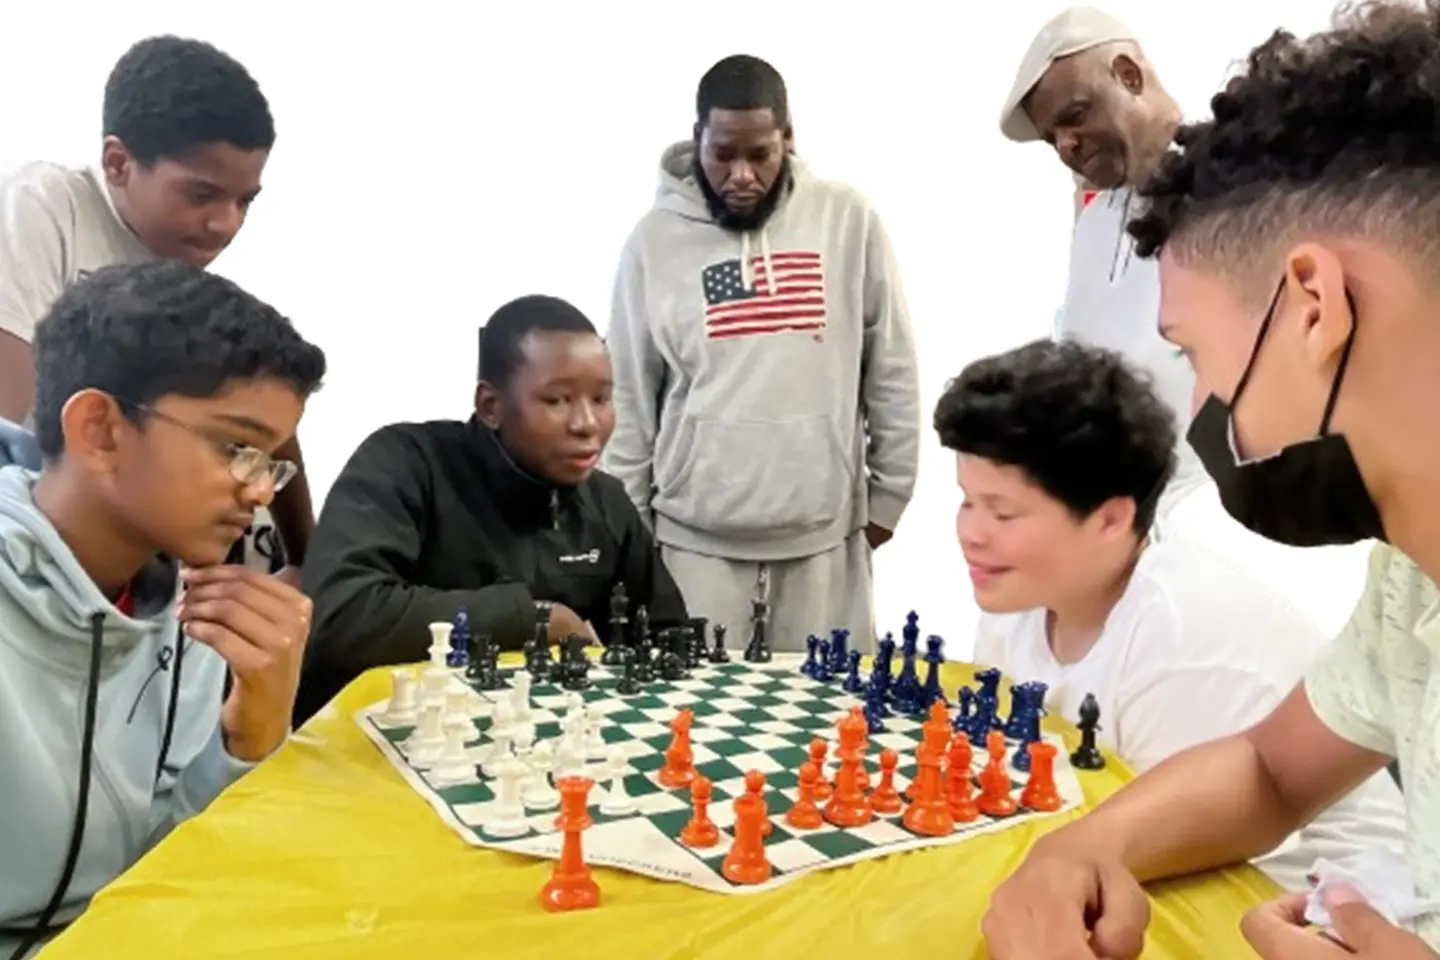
column 760, row 424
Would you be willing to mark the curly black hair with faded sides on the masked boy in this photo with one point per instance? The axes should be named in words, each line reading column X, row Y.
column 1338, row 132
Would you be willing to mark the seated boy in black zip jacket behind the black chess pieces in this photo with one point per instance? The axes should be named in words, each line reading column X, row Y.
column 498, row 515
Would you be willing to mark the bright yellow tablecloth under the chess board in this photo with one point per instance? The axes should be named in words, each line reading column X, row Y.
column 325, row 854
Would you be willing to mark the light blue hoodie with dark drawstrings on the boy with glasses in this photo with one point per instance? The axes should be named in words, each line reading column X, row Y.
column 51, row 615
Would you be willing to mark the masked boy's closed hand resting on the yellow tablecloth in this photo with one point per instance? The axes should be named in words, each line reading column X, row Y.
column 1066, row 906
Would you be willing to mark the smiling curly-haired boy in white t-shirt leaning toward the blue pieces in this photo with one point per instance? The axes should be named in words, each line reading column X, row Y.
column 1062, row 453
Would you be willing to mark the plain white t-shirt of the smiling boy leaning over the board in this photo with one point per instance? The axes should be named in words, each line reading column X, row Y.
column 1196, row 650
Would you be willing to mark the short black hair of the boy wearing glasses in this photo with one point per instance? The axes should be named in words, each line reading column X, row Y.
column 143, row 332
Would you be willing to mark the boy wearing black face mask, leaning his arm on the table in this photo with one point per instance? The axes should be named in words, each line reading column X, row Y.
column 1323, row 431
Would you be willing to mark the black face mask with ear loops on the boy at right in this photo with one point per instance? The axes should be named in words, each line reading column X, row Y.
column 1310, row 494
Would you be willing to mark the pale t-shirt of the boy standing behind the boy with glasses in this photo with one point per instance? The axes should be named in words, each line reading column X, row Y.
column 57, row 224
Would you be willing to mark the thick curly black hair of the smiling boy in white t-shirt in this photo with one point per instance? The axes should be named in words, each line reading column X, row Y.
column 1079, row 421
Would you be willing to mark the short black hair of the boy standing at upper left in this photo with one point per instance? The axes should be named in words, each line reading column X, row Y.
column 169, row 96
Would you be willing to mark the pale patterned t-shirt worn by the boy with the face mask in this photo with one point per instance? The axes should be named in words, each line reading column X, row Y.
column 1379, row 686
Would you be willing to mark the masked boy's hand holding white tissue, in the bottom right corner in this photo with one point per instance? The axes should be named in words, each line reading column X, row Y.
column 1278, row 932
